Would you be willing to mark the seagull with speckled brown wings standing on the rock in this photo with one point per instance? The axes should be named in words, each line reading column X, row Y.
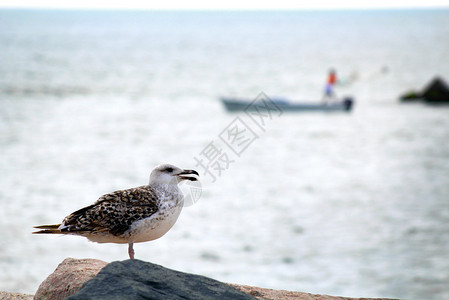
column 134, row 215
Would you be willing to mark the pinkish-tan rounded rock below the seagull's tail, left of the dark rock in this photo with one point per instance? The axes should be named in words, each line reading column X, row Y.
column 68, row 278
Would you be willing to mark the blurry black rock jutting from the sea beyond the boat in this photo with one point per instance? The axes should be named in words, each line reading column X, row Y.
column 436, row 92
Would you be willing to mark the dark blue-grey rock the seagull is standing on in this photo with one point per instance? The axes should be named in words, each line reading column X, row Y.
column 136, row 279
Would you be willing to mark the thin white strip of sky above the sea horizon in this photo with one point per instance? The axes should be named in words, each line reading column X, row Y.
column 228, row 4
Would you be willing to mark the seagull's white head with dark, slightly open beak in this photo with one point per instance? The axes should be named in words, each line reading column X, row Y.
column 169, row 174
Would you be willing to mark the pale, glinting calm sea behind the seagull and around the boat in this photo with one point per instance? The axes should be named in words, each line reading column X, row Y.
column 343, row 204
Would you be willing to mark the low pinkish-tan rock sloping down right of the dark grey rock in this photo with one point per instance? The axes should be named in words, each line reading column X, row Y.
column 269, row 294
